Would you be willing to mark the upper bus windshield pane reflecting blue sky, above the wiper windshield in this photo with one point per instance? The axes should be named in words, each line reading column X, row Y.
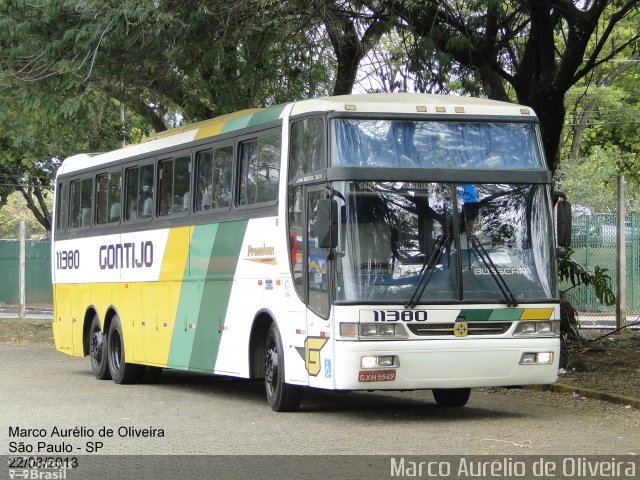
column 435, row 144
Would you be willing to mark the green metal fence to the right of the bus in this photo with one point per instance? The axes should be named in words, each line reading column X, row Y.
column 594, row 244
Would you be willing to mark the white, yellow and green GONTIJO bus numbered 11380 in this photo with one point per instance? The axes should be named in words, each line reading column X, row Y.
column 360, row 242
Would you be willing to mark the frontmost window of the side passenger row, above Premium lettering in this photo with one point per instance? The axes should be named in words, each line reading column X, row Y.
column 259, row 170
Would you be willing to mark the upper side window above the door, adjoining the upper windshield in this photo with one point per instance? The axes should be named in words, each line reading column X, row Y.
column 306, row 152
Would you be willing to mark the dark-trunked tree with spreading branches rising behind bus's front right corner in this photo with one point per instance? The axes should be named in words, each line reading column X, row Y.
column 538, row 48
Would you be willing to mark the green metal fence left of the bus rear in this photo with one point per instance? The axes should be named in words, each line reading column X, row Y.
column 38, row 290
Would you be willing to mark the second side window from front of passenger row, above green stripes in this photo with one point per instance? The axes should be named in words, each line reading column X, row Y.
column 213, row 174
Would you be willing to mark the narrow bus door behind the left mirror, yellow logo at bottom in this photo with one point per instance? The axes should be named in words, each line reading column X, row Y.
column 318, row 344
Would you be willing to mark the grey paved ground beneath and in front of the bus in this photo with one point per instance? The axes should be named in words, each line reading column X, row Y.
column 216, row 415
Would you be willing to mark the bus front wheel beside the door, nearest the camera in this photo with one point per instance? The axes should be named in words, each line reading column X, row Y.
column 282, row 396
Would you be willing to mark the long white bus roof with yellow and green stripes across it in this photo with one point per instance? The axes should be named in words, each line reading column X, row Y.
column 403, row 103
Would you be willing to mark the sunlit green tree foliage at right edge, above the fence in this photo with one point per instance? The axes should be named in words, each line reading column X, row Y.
column 601, row 140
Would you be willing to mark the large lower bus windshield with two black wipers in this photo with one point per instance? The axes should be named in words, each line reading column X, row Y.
column 476, row 242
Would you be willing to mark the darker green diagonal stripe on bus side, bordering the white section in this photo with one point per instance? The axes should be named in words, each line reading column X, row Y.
column 215, row 293
